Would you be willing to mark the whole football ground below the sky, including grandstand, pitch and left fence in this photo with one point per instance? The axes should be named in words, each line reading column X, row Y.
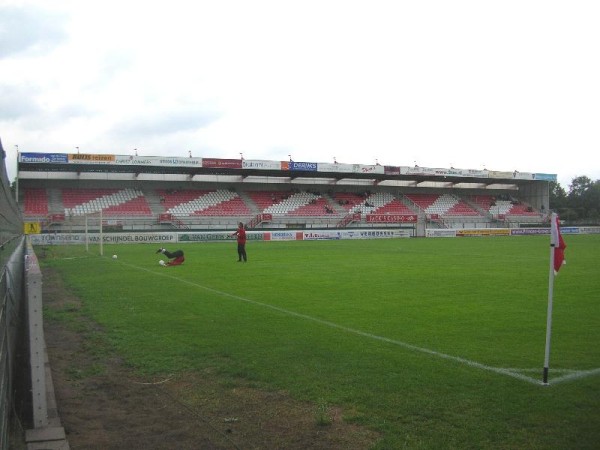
column 380, row 307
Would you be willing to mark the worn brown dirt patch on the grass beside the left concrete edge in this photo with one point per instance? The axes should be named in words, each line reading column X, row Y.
column 104, row 405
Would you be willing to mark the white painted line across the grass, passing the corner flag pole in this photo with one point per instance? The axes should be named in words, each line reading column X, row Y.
column 514, row 373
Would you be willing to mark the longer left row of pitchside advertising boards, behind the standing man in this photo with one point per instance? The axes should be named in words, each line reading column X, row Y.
column 216, row 236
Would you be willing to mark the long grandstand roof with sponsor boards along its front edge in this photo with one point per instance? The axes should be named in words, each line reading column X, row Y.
column 84, row 166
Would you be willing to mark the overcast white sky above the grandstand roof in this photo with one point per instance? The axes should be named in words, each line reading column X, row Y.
column 505, row 85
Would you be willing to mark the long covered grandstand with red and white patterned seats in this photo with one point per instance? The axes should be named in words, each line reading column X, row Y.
column 172, row 193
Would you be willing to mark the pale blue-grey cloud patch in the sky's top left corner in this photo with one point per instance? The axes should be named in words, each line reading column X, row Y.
column 26, row 29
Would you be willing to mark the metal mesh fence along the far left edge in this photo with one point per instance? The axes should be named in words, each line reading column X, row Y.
column 12, row 311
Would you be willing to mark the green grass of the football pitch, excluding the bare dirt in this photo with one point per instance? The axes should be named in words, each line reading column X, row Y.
column 327, row 321
